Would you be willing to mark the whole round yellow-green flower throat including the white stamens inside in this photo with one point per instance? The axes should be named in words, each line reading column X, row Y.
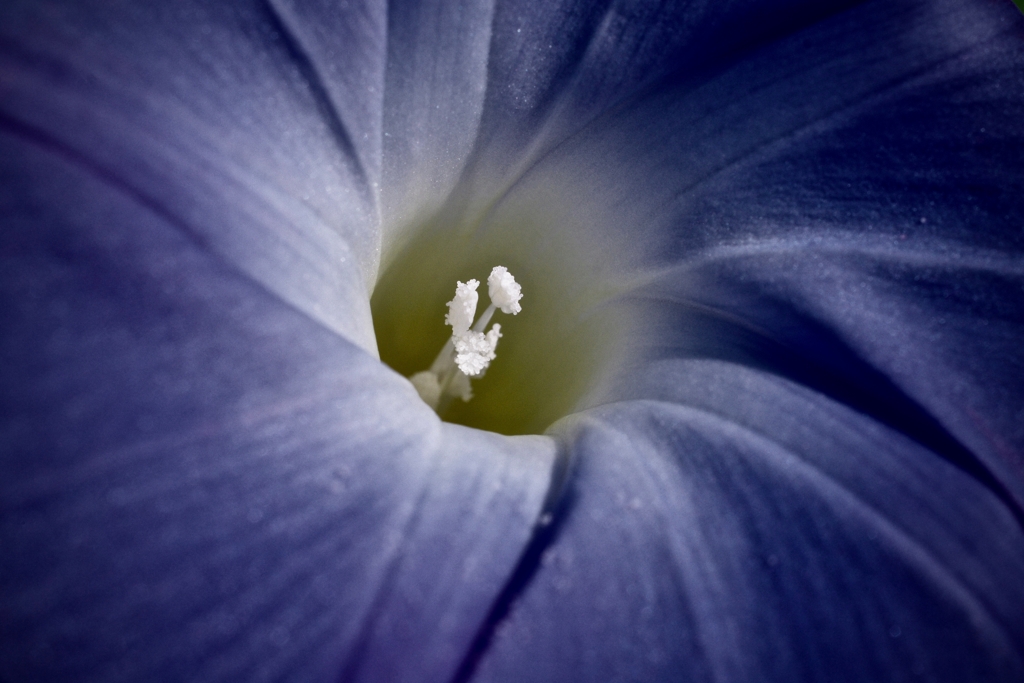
column 552, row 358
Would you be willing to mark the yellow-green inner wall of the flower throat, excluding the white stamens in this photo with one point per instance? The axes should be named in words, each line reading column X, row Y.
column 553, row 356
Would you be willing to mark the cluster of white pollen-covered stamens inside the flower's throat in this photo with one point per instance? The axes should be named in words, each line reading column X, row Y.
column 471, row 351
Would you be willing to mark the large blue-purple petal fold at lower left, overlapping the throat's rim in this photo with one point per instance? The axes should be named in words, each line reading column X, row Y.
column 203, row 484
